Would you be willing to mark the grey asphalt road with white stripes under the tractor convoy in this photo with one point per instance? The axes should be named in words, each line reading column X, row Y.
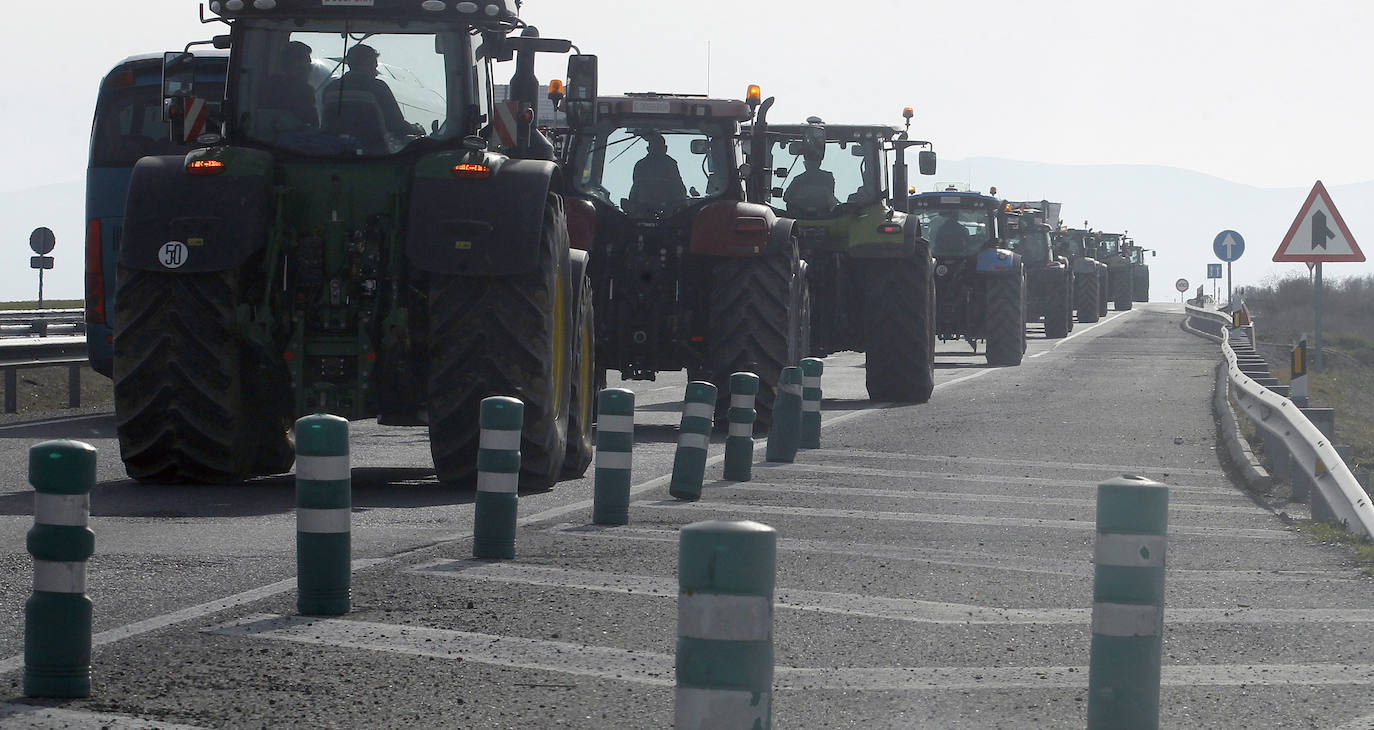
column 935, row 571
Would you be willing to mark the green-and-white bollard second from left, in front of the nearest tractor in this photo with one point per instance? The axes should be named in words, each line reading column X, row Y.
column 324, row 512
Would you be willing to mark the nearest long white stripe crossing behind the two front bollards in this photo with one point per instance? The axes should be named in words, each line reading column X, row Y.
column 656, row 669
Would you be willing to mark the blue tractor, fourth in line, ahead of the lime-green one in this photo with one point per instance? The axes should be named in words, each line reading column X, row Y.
column 980, row 283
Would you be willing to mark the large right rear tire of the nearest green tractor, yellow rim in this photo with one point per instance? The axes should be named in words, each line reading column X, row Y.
column 504, row 336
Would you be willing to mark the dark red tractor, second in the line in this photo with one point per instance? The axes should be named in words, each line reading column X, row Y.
column 690, row 267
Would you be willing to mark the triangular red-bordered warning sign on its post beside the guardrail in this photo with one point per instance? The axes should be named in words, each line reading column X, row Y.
column 1318, row 236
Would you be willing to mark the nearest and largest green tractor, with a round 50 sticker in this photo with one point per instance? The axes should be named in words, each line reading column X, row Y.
column 372, row 236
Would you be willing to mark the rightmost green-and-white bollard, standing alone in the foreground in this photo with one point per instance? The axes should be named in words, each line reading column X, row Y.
column 1129, row 604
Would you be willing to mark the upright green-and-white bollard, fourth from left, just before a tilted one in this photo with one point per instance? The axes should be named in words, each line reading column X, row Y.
column 615, row 446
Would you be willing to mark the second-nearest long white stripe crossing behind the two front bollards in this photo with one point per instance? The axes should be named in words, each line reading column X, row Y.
column 870, row 607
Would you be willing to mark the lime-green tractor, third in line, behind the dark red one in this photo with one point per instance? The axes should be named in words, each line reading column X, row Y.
column 870, row 274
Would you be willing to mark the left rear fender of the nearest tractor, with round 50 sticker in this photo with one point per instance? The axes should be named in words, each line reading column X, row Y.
column 185, row 223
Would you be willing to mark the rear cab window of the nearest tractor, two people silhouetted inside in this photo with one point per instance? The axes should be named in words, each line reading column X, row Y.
column 352, row 93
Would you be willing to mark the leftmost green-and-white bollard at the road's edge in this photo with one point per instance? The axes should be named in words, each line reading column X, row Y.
column 57, row 618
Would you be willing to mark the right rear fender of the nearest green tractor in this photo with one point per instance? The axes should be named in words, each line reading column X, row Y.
column 479, row 228
